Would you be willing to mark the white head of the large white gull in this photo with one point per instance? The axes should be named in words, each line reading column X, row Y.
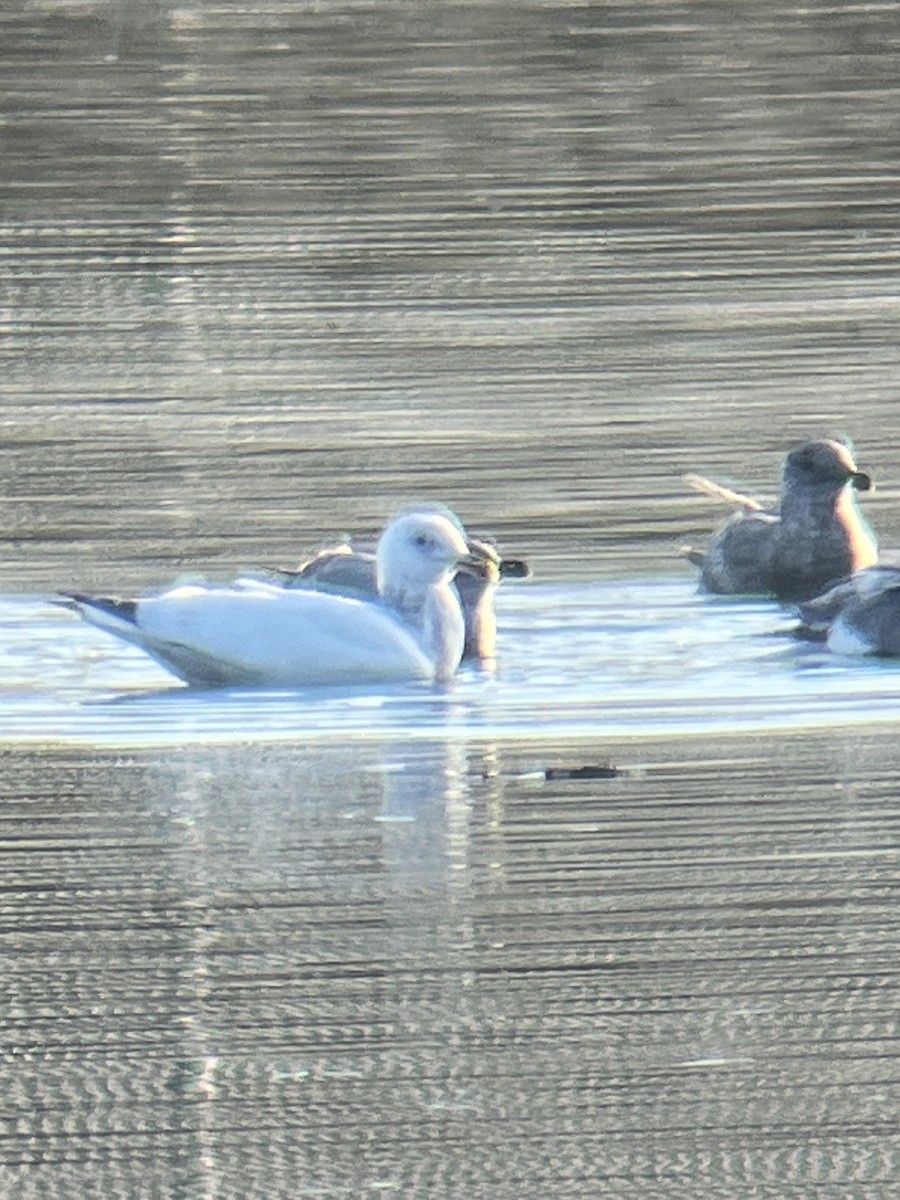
column 418, row 551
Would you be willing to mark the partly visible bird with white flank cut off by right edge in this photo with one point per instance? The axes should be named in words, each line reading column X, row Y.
column 859, row 616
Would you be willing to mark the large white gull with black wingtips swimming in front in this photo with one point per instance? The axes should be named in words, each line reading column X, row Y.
column 251, row 633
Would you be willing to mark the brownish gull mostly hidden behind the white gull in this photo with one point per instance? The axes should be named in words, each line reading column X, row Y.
column 351, row 568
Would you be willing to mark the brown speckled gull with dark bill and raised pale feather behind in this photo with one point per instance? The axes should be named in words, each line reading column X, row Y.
column 815, row 537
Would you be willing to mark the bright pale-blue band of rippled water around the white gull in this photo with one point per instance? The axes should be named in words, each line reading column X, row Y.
column 577, row 661
